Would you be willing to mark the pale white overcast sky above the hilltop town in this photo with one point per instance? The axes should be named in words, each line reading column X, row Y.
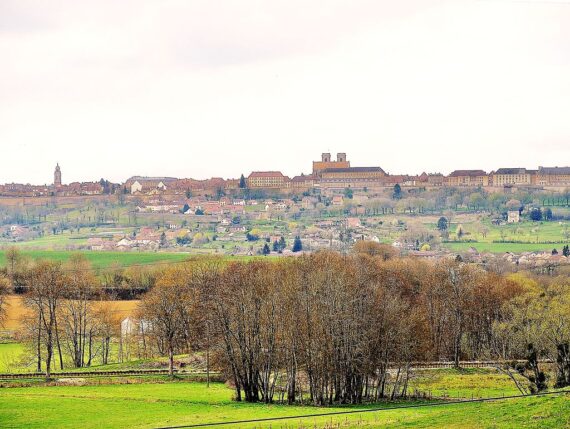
column 201, row 88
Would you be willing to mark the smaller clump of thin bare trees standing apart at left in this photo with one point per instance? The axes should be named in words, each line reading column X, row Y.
column 63, row 325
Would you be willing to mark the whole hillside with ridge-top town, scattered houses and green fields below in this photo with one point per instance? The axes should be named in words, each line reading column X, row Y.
column 514, row 212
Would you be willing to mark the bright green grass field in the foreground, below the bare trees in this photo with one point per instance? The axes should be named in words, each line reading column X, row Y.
column 178, row 403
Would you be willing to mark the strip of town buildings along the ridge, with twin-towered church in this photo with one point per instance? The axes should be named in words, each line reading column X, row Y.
column 328, row 176
